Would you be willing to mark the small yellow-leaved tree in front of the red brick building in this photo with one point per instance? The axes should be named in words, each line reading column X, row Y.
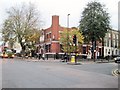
column 68, row 44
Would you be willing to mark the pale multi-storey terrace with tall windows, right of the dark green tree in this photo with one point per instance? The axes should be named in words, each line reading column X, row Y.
column 111, row 43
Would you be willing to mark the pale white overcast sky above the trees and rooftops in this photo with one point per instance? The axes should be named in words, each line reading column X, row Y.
column 48, row 8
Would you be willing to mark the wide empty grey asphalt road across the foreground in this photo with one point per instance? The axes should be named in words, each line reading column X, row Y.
column 55, row 74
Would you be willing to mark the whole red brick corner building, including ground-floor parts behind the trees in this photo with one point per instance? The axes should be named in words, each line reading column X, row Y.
column 49, row 40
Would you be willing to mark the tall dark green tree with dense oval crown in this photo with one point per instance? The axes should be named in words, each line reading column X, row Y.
column 94, row 23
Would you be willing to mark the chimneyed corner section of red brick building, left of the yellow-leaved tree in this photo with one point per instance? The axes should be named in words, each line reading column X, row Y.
column 49, row 40
